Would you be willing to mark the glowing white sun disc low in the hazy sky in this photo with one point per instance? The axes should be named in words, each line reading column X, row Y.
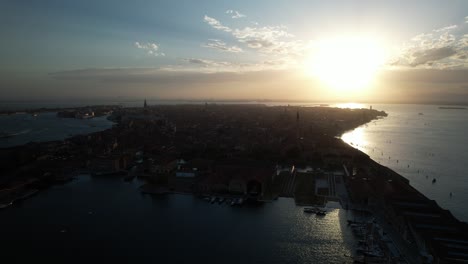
column 346, row 64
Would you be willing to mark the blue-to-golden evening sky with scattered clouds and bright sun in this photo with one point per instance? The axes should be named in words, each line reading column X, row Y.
column 362, row 51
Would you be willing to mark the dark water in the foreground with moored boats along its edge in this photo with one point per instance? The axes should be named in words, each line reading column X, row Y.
column 109, row 218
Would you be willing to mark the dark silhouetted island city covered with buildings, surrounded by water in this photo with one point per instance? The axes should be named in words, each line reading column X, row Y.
column 249, row 153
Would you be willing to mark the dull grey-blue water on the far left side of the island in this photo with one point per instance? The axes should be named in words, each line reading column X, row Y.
column 46, row 127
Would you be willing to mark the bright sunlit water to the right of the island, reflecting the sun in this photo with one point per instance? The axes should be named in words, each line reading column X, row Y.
column 422, row 147
